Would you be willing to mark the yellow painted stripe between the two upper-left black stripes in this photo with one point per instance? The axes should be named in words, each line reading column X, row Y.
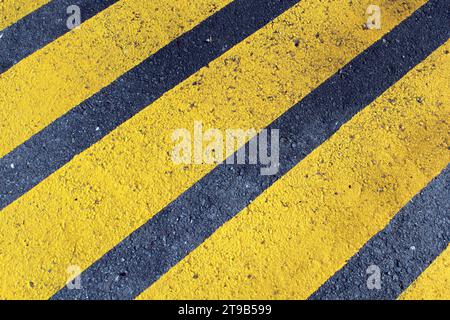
column 56, row 78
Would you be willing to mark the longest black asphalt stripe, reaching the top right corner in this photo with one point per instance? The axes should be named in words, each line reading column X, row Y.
column 149, row 252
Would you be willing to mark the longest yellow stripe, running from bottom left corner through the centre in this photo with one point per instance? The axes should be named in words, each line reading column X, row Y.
column 87, row 207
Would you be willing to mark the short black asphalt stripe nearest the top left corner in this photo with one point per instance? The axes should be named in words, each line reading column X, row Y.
column 41, row 27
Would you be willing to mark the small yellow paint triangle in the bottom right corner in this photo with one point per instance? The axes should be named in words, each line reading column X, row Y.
column 433, row 283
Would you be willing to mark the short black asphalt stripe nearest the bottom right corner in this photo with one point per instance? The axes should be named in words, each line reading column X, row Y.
column 418, row 234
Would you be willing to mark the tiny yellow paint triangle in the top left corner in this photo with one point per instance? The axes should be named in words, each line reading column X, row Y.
column 13, row 10
